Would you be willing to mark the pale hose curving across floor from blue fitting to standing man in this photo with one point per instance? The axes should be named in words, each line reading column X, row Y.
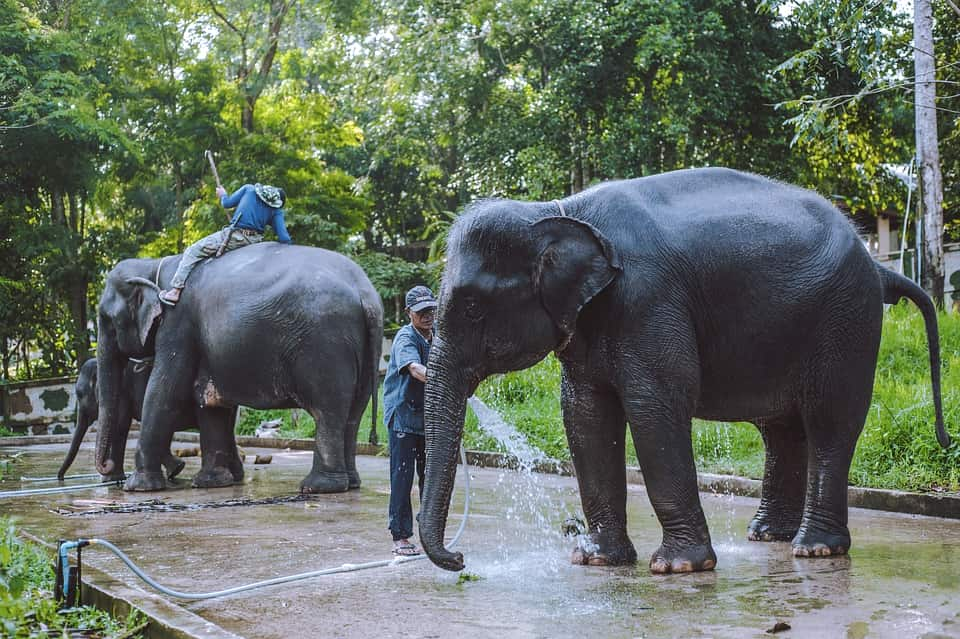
column 306, row 575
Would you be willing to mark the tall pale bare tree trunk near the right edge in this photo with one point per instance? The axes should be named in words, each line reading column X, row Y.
column 928, row 153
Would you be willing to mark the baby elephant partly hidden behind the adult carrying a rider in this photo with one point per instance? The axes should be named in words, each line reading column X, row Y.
column 134, row 385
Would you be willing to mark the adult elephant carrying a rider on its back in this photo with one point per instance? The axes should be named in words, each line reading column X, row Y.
column 267, row 326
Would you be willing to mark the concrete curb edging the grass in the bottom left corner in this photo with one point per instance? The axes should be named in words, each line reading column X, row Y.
column 165, row 619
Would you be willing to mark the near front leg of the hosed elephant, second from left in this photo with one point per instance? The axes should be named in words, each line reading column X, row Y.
column 662, row 437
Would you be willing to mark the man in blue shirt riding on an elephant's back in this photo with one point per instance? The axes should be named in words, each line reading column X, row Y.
column 257, row 206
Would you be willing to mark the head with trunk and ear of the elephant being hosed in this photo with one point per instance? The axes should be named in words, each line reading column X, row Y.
column 516, row 278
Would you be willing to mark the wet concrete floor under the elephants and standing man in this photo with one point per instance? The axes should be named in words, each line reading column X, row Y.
column 901, row 579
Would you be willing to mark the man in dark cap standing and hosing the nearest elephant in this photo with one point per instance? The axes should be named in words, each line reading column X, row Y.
column 403, row 412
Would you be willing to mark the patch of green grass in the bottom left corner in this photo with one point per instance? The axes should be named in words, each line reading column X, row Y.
column 27, row 607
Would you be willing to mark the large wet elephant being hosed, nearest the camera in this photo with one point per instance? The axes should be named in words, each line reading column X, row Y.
column 701, row 293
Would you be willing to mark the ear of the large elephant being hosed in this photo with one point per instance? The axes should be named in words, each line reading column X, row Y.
column 575, row 262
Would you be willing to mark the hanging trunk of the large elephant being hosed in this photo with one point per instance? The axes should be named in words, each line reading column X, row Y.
column 445, row 408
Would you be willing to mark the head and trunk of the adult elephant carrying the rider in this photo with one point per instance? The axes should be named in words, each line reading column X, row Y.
column 128, row 311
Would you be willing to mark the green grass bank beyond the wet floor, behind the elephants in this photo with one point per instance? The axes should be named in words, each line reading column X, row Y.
column 898, row 447
